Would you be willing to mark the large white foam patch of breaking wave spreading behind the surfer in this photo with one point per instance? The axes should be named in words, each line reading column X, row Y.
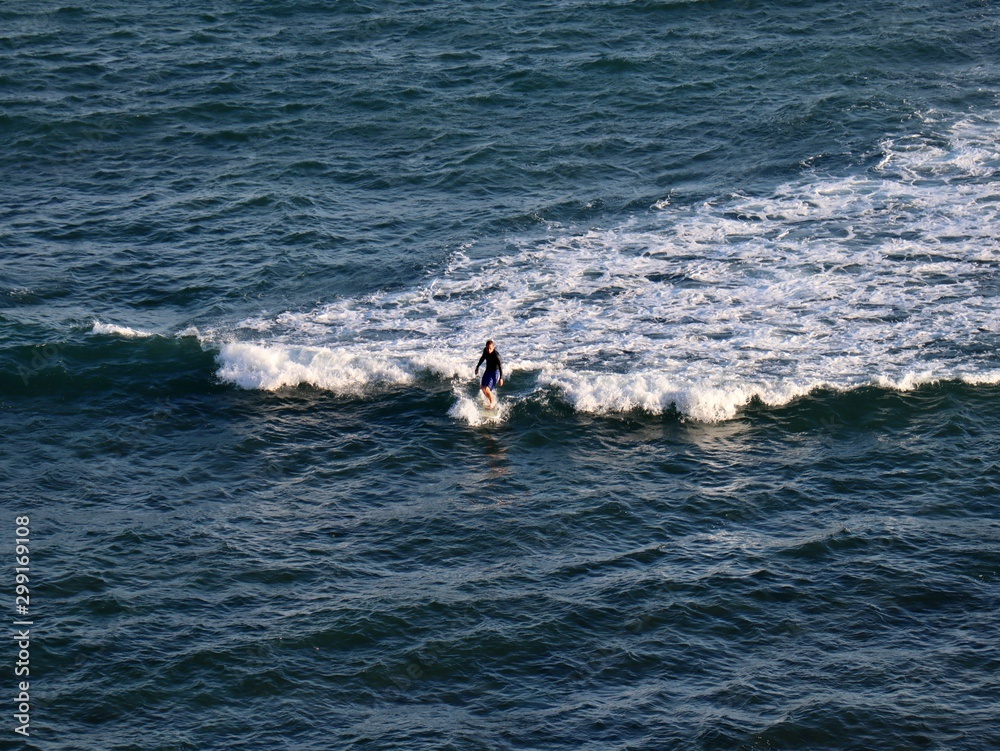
column 888, row 277
